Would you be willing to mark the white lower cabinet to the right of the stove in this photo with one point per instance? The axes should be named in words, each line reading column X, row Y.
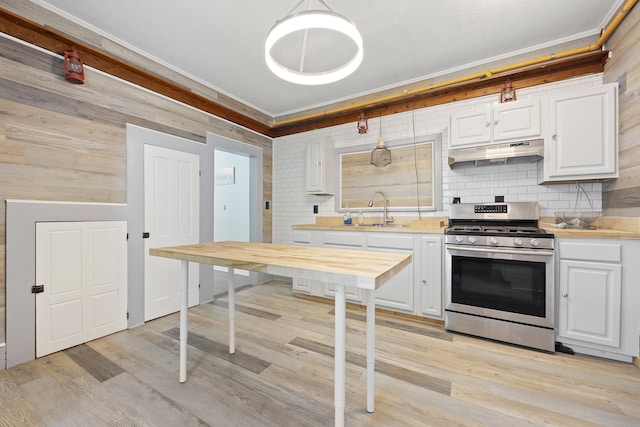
column 596, row 310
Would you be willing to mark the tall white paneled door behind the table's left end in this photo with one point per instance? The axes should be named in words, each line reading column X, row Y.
column 171, row 218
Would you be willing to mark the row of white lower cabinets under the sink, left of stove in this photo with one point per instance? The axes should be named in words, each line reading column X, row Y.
column 417, row 289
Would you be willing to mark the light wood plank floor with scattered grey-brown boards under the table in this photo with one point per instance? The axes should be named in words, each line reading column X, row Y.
column 282, row 375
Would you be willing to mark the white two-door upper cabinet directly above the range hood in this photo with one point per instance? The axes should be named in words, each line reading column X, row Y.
column 499, row 123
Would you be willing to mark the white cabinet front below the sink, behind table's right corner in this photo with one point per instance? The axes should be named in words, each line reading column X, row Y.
column 397, row 293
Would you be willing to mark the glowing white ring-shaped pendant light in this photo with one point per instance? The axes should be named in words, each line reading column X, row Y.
column 306, row 20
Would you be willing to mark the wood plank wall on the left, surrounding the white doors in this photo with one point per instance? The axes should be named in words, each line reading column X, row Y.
column 67, row 142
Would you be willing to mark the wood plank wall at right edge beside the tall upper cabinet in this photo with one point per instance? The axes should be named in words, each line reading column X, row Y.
column 621, row 197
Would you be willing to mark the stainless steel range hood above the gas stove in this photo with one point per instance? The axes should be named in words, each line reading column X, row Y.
column 499, row 154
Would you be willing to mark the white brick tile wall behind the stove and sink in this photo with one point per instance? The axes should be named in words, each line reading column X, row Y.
column 474, row 185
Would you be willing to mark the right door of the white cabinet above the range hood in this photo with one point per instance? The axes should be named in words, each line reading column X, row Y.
column 517, row 120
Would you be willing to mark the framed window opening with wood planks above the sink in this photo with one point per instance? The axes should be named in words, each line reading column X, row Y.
column 412, row 181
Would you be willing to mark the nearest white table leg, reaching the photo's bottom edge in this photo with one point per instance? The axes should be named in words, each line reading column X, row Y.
column 340, row 355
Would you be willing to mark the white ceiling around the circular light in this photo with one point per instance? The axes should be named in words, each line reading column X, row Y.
column 221, row 42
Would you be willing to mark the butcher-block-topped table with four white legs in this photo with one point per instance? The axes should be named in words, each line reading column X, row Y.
column 343, row 267
